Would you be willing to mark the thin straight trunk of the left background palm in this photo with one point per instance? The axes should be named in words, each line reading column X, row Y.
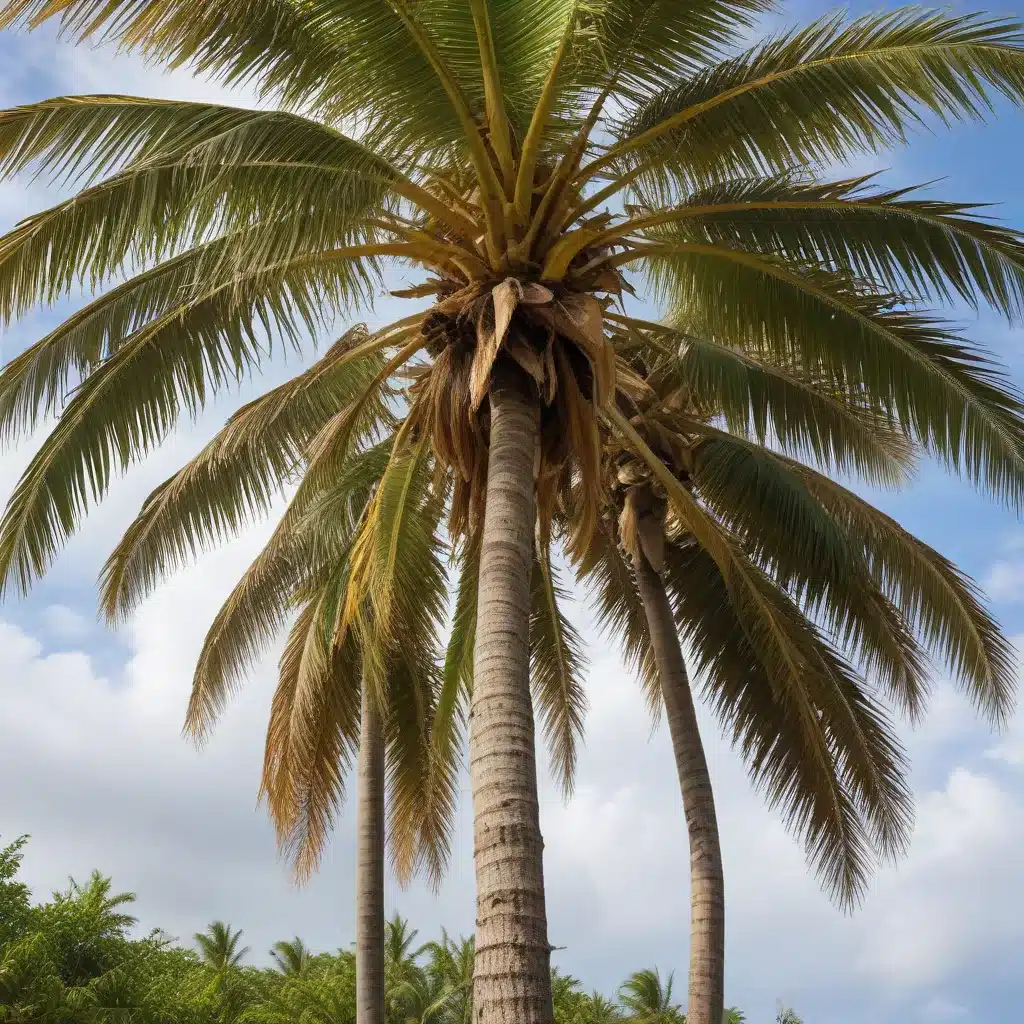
column 370, row 868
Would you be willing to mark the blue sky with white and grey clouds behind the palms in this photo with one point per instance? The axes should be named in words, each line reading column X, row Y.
column 96, row 770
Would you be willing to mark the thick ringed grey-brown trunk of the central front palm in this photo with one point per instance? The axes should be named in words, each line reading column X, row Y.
column 511, row 977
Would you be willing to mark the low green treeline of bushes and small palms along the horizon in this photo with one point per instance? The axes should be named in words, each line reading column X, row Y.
column 72, row 961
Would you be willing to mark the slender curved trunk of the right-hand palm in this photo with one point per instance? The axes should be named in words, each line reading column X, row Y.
column 706, row 1003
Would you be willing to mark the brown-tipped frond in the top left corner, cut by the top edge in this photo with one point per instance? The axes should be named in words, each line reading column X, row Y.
column 338, row 60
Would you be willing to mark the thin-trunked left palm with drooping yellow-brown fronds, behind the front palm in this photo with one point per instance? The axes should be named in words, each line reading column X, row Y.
column 307, row 567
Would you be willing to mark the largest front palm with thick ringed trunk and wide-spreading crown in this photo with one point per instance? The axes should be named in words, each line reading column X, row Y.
column 492, row 139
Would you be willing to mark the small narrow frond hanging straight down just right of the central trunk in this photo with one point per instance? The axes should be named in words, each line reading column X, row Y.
column 558, row 666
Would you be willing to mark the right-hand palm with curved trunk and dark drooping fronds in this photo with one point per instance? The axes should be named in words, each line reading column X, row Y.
column 810, row 556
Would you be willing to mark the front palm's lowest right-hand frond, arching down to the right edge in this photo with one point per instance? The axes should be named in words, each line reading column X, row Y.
column 946, row 392
